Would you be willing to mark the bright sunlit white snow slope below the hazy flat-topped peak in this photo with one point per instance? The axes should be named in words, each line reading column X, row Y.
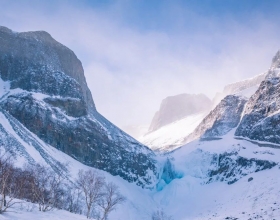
column 172, row 135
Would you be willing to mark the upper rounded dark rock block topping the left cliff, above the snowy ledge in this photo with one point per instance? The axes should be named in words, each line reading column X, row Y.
column 34, row 61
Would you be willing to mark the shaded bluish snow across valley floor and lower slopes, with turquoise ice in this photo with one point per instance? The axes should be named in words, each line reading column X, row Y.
column 197, row 184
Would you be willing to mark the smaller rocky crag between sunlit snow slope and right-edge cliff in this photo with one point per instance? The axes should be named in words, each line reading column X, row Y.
column 221, row 120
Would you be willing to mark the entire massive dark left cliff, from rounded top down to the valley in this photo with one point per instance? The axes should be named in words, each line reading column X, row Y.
column 45, row 90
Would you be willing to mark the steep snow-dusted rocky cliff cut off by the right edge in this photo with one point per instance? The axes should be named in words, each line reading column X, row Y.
column 261, row 116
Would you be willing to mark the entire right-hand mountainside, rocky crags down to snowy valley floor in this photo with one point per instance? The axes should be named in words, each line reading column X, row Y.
column 223, row 176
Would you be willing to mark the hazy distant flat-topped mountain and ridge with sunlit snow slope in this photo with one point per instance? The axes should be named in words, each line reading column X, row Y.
column 181, row 118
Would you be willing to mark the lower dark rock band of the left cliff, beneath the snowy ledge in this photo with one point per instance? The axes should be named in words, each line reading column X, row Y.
column 82, row 138
